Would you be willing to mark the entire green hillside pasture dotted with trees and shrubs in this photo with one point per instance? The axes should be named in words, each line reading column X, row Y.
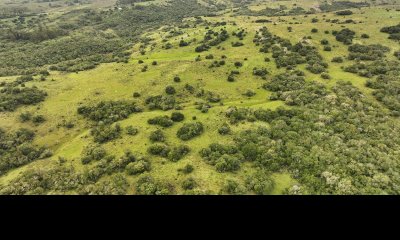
column 223, row 97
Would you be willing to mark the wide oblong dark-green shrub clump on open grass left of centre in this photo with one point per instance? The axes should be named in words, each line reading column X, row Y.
column 109, row 112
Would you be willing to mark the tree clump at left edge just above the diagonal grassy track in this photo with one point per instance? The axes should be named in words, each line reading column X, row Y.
column 16, row 149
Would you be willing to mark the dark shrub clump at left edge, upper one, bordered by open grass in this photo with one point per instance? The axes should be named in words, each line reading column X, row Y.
column 13, row 97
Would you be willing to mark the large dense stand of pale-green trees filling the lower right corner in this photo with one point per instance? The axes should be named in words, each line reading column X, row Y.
column 306, row 142
